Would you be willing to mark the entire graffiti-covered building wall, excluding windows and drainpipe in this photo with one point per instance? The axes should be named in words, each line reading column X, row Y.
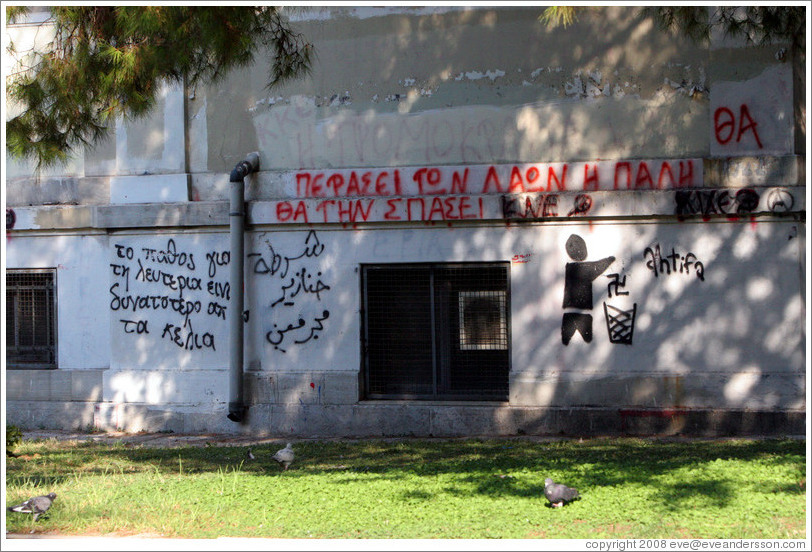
column 438, row 135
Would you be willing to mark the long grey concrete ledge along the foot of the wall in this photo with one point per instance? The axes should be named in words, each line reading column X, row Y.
column 402, row 420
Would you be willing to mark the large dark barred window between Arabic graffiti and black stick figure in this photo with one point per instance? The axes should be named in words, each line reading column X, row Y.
column 438, row 331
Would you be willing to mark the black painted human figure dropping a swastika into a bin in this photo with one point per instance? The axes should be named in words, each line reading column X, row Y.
column 578, row 278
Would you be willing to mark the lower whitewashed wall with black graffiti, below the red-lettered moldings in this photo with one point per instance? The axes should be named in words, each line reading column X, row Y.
column 717, row 312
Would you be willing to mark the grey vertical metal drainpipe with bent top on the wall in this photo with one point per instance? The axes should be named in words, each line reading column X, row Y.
column 236, row 215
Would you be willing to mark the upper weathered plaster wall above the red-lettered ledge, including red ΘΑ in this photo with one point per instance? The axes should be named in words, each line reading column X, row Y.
column 402, row 86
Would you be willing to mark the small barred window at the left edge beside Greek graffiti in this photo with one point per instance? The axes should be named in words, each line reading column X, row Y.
column 31, row 318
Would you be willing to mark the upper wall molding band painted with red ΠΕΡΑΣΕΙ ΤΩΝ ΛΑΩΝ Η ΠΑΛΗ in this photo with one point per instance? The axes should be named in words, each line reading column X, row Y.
column 269, row 185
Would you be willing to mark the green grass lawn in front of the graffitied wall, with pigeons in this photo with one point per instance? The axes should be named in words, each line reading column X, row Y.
column 473, row 488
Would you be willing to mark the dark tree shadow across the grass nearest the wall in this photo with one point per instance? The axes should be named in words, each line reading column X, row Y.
column 497, row 468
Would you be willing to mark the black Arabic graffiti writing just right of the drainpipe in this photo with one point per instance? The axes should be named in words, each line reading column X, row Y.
column 297, row 284
